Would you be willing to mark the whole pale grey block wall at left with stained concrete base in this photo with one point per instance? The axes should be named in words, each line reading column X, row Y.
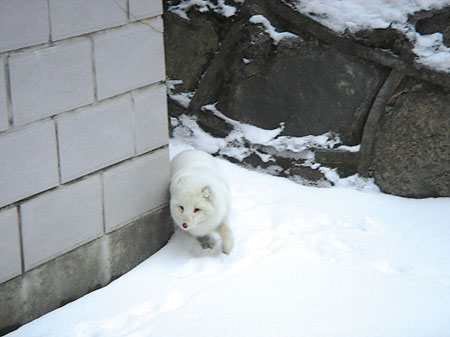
column 84, row 163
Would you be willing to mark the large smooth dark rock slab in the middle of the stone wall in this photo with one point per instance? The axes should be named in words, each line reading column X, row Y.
column 308, row 86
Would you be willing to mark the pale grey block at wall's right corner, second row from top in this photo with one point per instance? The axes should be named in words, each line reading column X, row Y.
column 129, row 58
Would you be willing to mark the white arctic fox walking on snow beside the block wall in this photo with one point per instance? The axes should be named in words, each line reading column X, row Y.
column 200, row 198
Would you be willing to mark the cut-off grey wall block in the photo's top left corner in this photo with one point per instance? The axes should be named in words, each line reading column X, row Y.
column 23, row 23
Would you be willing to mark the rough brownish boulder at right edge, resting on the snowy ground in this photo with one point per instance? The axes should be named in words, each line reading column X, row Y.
column 412, row 152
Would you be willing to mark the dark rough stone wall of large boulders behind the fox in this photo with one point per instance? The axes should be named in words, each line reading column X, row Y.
column 364, row 86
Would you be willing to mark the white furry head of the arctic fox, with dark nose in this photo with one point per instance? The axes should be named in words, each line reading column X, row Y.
column 191, row 203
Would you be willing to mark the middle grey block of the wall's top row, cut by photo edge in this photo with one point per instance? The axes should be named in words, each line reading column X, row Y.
column 73, row 17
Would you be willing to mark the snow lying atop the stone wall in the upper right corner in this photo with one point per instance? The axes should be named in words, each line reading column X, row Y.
column 354, row 15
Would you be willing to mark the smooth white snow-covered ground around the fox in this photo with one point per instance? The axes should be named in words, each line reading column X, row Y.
column 307, row 262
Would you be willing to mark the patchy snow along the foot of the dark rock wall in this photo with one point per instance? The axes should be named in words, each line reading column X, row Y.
column 239, row 144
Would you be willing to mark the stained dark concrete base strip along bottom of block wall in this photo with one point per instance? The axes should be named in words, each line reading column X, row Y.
column 80, row 271
